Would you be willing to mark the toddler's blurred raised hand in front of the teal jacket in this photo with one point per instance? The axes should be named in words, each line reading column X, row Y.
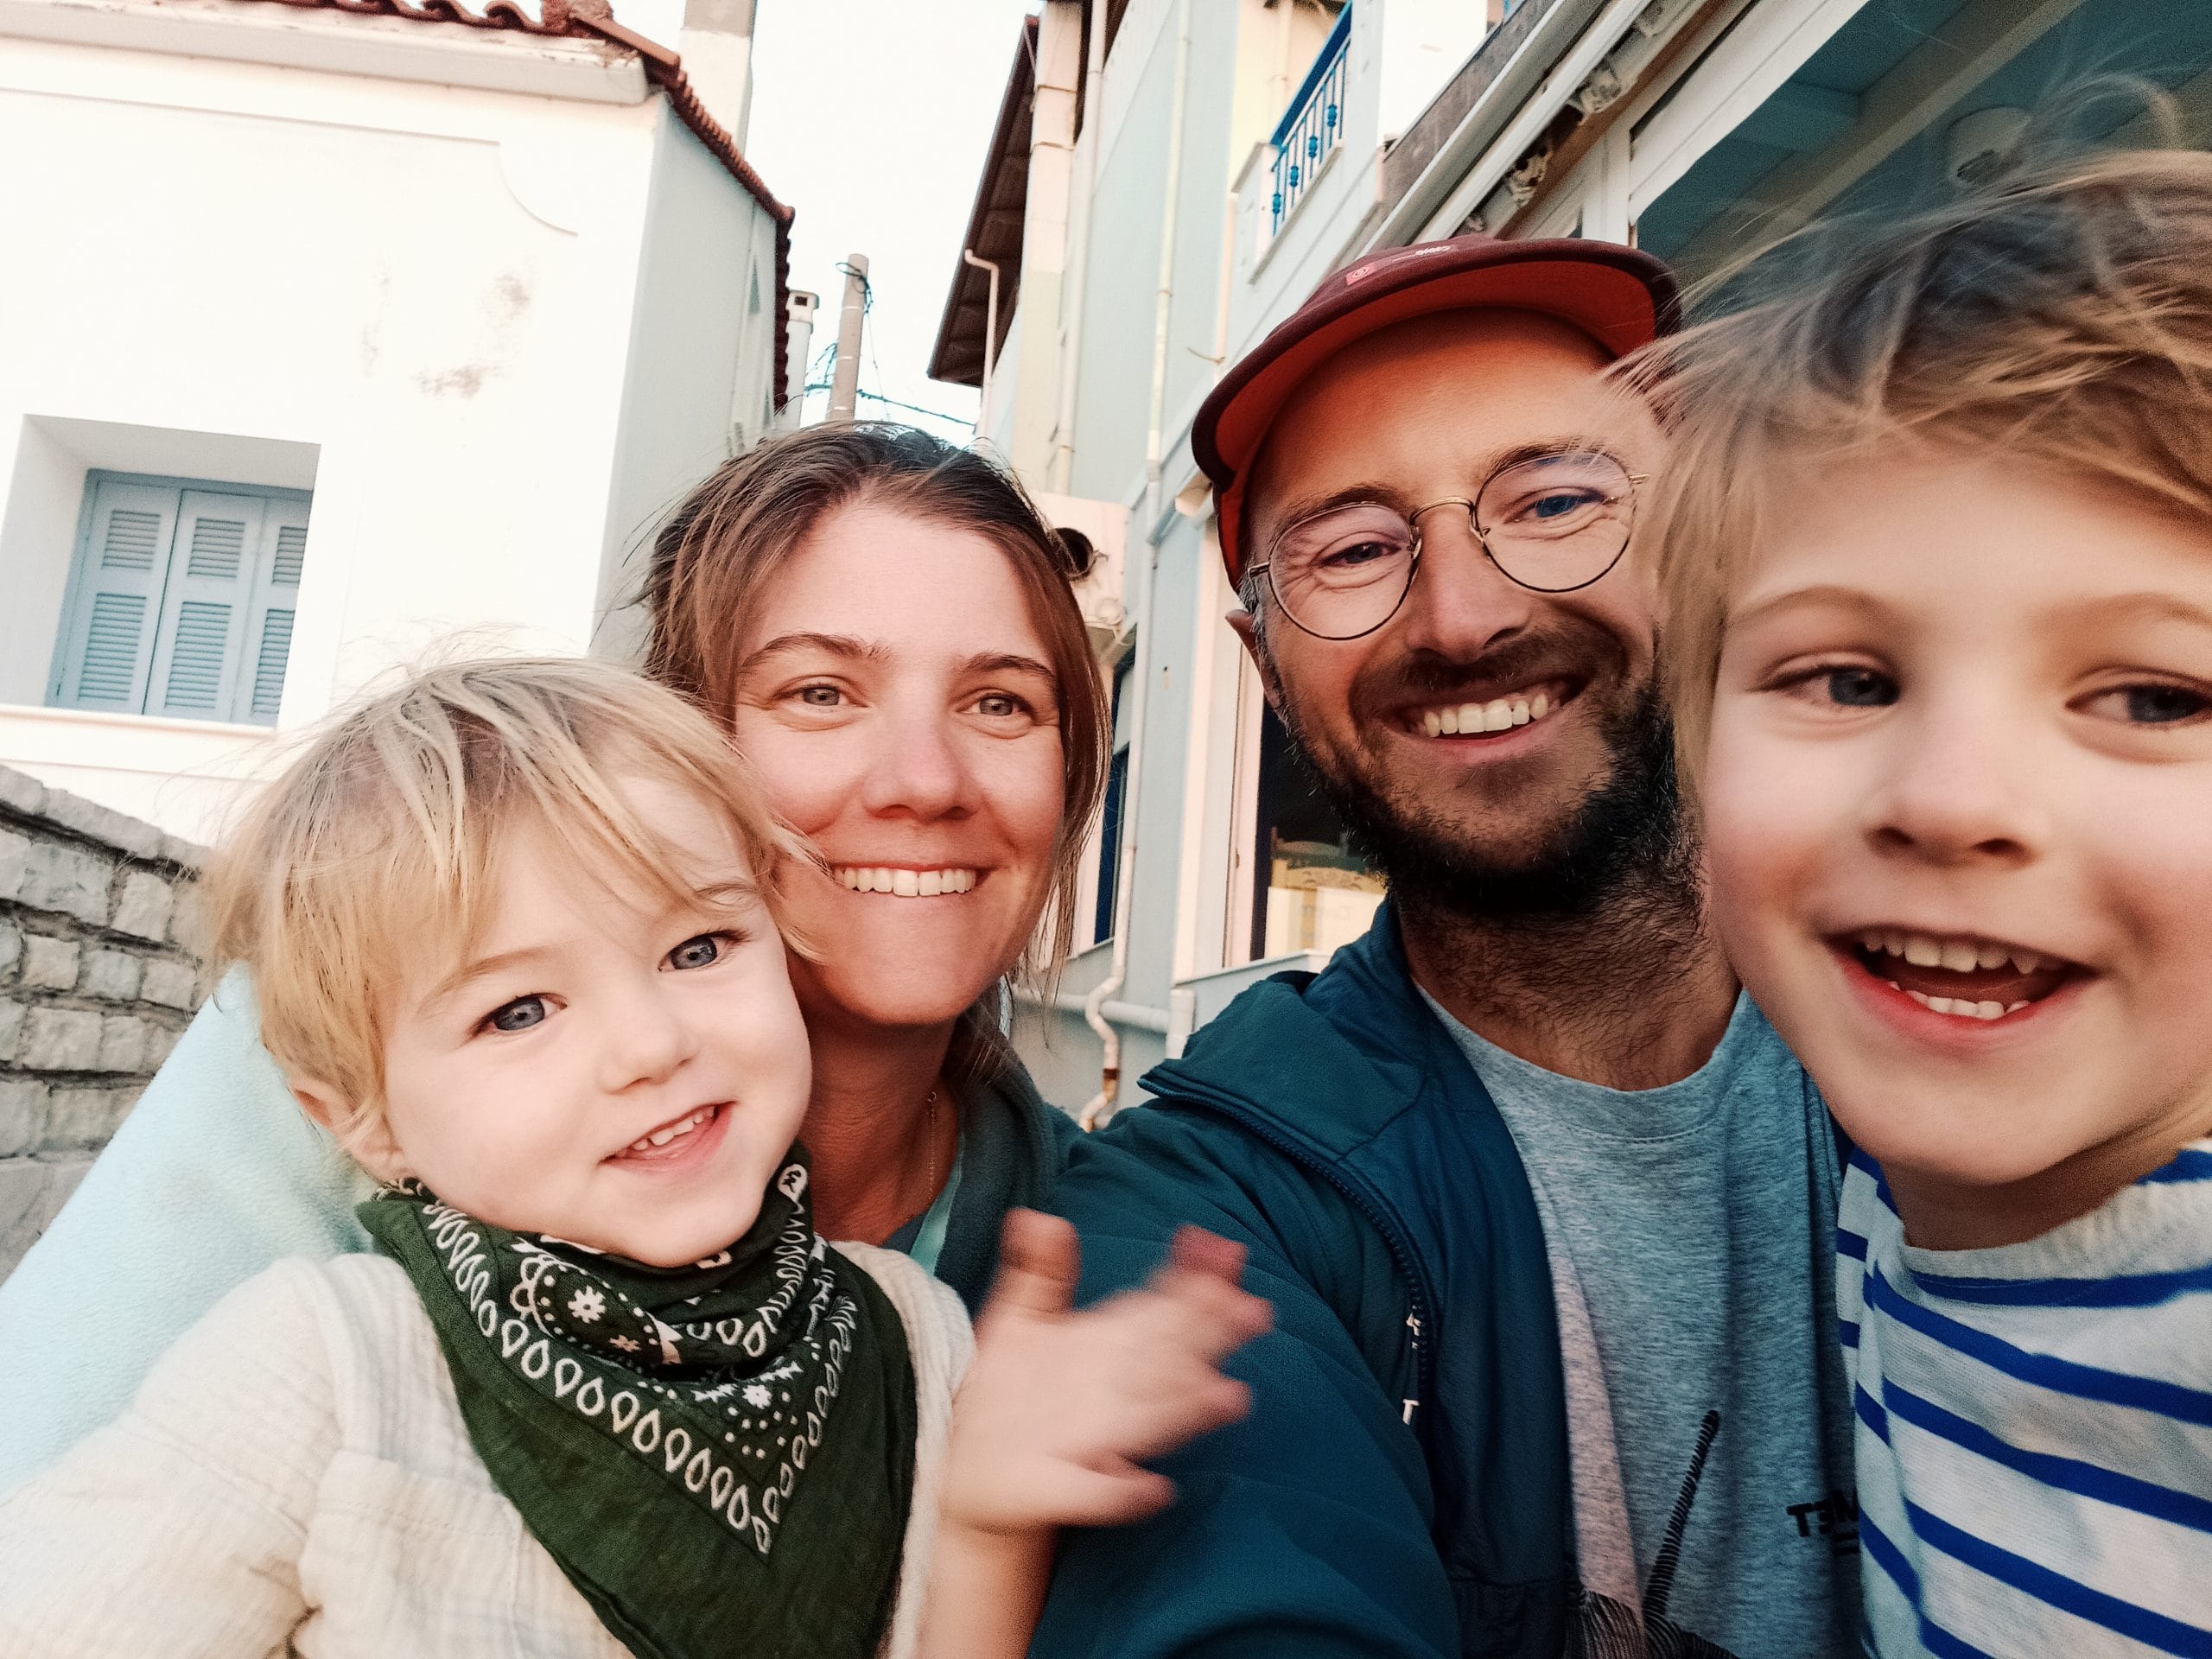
column 1063, row 1406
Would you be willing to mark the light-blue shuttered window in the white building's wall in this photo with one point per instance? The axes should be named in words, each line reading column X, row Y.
column 182, row 601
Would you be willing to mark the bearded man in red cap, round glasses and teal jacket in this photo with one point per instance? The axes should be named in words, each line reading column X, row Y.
column 1543, row 1204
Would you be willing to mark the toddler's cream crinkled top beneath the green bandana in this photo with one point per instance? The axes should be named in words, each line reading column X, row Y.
column 295, row 1479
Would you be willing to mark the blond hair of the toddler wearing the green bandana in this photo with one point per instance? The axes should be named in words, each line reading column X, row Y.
column 371, row 855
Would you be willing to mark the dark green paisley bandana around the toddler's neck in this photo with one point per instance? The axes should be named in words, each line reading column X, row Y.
column 718, row 1457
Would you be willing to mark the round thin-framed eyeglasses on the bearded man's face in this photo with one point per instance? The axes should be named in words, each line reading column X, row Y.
column 1552, row 525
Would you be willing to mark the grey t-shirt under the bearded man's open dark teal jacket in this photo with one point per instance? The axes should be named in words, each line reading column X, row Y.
column 1691, row 1235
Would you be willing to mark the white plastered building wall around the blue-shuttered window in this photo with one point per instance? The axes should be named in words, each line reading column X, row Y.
column 417, row 300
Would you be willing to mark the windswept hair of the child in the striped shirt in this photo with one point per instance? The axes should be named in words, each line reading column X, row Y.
column 2058, row 317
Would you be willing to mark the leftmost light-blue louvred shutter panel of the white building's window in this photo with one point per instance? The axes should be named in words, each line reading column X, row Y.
column 107, row 645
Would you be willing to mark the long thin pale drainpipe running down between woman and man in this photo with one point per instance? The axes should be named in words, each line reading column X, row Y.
column 1142, row 678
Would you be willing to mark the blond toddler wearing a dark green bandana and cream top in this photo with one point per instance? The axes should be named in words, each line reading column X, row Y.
column 514, row 939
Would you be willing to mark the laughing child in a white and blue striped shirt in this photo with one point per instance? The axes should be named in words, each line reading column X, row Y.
column 1939, row 578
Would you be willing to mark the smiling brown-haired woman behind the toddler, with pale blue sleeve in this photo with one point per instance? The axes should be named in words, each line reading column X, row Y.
column 888, row 632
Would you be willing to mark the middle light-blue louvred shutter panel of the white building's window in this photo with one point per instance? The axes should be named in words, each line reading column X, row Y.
column 211, row 585
